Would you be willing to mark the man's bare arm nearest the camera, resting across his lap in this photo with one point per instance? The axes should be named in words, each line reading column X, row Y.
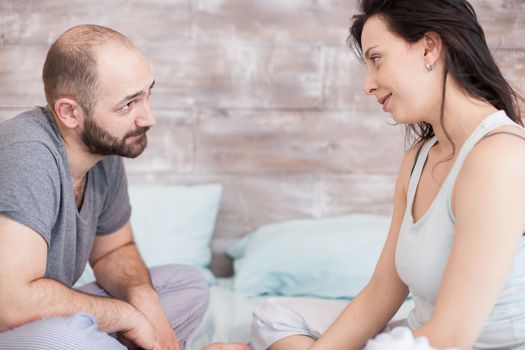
column 26, row 295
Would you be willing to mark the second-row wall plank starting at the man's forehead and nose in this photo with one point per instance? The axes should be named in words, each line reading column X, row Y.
column 237, row 76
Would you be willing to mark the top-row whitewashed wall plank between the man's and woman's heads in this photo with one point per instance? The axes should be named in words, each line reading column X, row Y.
column 291, row 22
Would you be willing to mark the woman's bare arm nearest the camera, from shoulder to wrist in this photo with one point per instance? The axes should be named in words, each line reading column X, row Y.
column 489, row 206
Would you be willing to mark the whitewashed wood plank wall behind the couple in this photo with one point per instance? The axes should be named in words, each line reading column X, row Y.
column 262, row 96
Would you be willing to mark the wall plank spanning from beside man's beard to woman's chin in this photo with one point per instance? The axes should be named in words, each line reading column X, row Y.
column 293, row 142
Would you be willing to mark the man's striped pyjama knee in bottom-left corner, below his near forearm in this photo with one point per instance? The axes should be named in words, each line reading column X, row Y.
column 78, row 331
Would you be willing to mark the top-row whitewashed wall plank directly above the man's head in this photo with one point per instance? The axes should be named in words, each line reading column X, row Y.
column 42, row 21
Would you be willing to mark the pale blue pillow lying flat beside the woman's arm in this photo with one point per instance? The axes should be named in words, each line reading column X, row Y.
column 327, row 258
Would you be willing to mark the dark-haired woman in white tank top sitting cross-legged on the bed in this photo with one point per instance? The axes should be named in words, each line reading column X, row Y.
column 456, row 237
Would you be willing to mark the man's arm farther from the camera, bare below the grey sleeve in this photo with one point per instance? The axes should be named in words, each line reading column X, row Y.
column 120, row 270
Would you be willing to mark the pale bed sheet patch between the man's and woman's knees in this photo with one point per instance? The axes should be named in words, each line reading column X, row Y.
column 229, row 317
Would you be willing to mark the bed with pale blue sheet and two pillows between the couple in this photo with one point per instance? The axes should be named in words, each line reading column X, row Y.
column 328, row 258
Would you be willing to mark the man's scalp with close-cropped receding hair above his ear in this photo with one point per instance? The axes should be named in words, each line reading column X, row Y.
column 70, row 69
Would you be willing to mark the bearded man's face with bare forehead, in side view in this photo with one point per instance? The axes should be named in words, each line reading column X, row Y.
column 122, row 113
